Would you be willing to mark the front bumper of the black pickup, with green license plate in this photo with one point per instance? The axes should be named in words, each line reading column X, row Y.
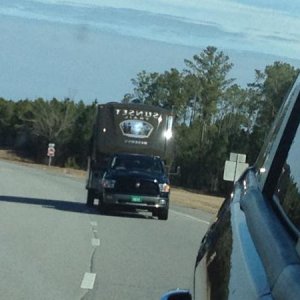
column 137, row 201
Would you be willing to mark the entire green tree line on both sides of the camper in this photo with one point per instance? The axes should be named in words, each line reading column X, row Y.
column 213, row 117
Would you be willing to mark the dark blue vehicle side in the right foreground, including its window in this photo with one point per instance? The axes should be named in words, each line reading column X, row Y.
column 252, row 250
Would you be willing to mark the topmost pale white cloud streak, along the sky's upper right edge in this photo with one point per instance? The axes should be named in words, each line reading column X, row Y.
column 231, row 15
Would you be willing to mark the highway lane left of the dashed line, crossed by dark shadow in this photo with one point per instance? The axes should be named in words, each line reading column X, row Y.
column 44, row 241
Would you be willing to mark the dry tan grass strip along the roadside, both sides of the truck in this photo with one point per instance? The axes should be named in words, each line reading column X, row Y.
column 179, row 196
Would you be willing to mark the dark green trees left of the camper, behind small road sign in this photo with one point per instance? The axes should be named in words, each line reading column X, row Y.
column 28, row 126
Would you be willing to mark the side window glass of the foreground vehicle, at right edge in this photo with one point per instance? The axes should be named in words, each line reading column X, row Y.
column 288, row 188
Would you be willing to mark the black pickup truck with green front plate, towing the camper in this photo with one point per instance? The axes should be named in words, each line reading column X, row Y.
column 136, row 181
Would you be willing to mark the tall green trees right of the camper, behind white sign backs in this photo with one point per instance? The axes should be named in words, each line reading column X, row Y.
column 214, row 116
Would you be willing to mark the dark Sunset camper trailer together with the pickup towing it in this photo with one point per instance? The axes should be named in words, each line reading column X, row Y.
column 130, row 129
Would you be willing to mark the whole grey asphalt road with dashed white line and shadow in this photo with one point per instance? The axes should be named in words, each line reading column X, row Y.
column 53, row 247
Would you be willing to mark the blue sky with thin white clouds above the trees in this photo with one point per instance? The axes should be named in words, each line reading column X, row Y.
column 90, row 50
